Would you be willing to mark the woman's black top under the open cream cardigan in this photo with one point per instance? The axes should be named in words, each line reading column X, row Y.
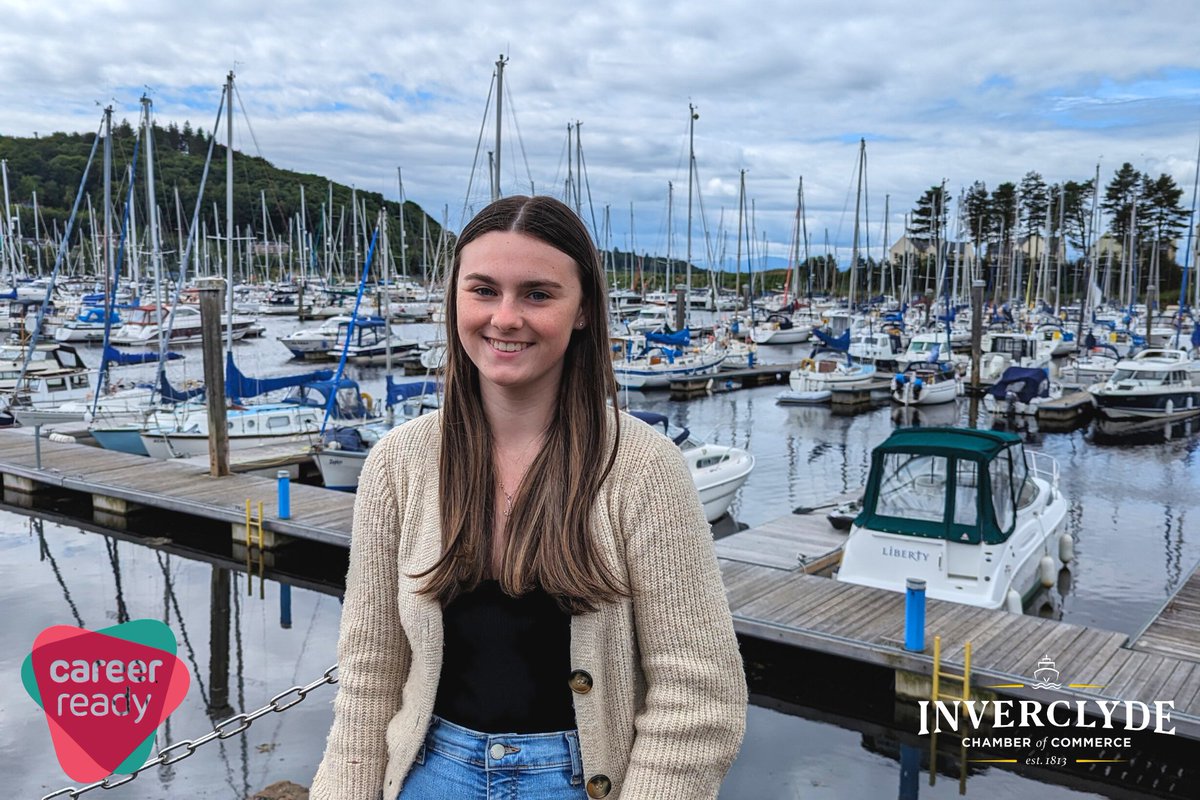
column 507, row 663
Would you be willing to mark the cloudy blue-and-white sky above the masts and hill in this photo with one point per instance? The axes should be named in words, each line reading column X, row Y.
column 961, row 92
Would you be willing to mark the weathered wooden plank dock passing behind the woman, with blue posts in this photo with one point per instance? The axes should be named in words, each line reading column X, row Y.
column 767, row 573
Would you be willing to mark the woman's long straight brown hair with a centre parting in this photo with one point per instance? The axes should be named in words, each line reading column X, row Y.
column 549, row 534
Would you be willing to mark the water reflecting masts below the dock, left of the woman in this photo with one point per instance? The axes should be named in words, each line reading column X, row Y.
column 239, row 653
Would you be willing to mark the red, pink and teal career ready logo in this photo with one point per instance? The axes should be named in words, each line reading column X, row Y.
column 105, row 693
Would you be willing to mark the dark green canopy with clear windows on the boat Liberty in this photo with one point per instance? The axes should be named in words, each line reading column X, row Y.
column 962, row 485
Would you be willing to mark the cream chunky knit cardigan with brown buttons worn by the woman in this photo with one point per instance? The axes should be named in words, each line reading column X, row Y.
column 667, row 713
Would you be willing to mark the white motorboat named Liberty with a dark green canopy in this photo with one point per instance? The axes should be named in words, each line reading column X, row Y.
column 971, row 513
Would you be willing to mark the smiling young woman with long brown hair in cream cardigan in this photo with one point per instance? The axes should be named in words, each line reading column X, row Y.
column 533, row 607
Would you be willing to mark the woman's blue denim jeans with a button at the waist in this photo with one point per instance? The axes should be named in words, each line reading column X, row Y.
column 457, row 763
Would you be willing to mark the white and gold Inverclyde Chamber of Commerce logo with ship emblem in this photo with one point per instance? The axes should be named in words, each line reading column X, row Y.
column 1037, row 729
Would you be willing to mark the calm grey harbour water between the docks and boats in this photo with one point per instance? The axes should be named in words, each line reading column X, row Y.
column 1130, row 514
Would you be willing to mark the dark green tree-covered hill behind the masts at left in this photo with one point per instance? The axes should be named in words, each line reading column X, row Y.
column 50, row 170
